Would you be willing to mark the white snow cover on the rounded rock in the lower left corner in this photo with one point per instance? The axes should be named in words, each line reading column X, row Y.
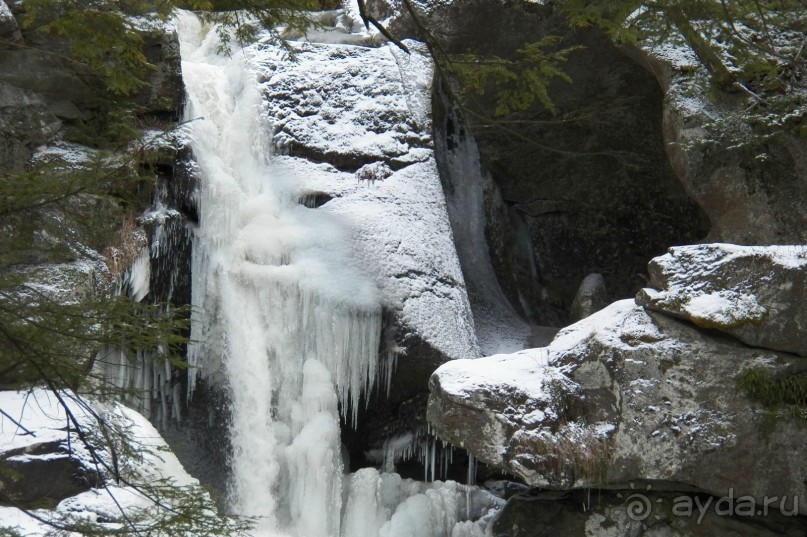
column 33, row 432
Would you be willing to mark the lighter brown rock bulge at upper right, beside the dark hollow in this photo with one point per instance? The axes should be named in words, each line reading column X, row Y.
column 749, row 184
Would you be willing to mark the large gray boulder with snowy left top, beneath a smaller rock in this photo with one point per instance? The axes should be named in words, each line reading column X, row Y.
column 622, row 396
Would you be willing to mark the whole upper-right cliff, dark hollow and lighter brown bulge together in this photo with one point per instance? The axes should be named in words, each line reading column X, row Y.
column 647, row 160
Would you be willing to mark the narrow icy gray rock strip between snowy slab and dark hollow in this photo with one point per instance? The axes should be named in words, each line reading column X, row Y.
column 500, row 274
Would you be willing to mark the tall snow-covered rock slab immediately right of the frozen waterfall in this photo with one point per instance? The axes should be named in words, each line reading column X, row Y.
column 354, row 124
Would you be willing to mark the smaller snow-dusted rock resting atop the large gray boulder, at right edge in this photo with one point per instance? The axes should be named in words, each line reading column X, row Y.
column 755, row 293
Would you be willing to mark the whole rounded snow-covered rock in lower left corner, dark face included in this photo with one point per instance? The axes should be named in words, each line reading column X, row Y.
column 66, row 477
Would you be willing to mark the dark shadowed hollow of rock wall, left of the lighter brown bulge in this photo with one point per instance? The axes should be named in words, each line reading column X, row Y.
column 592, row 187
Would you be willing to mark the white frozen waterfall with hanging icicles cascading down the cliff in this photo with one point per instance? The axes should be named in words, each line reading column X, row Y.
column 294, row 326
